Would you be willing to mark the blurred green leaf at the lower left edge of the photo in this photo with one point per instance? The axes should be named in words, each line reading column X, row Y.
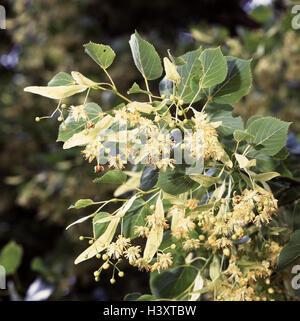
column 11, row 257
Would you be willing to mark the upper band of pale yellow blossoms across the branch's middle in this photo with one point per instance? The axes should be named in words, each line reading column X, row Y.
column 148, row 141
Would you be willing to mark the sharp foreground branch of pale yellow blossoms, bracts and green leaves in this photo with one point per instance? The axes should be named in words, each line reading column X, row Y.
column 220, row 211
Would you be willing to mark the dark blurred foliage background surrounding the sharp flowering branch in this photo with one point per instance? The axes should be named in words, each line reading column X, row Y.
column 39, row 180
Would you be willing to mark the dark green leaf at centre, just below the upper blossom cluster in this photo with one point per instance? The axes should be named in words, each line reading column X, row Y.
column 175, row 182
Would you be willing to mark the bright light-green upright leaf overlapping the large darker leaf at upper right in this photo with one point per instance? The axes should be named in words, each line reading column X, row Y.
column 214, row 67
